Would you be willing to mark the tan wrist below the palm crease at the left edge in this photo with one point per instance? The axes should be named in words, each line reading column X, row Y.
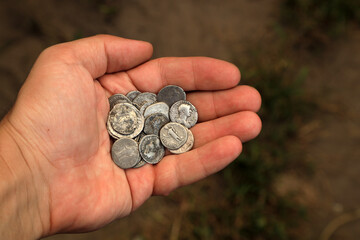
column 24, row 207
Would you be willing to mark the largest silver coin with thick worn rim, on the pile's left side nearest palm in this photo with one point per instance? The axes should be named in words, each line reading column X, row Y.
column 125, row 120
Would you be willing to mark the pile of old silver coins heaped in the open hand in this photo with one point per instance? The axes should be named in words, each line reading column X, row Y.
column 144, row 124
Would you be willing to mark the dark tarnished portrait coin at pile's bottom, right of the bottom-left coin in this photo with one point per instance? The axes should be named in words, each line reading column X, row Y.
column 151, row 149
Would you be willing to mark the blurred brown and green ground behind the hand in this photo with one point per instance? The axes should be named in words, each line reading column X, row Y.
column 300, row 178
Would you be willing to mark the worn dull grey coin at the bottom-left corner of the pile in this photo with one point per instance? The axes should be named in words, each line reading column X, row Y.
column 125, row 153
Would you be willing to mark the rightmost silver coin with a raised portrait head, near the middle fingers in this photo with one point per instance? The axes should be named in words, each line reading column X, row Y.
column 184, row 112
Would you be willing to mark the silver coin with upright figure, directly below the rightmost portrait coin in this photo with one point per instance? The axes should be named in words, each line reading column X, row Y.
column 173, row 135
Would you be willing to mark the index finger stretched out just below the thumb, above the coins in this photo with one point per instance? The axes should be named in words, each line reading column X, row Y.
column 190, row 73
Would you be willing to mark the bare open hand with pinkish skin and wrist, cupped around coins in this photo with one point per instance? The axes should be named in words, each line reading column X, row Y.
column 56, row 172
